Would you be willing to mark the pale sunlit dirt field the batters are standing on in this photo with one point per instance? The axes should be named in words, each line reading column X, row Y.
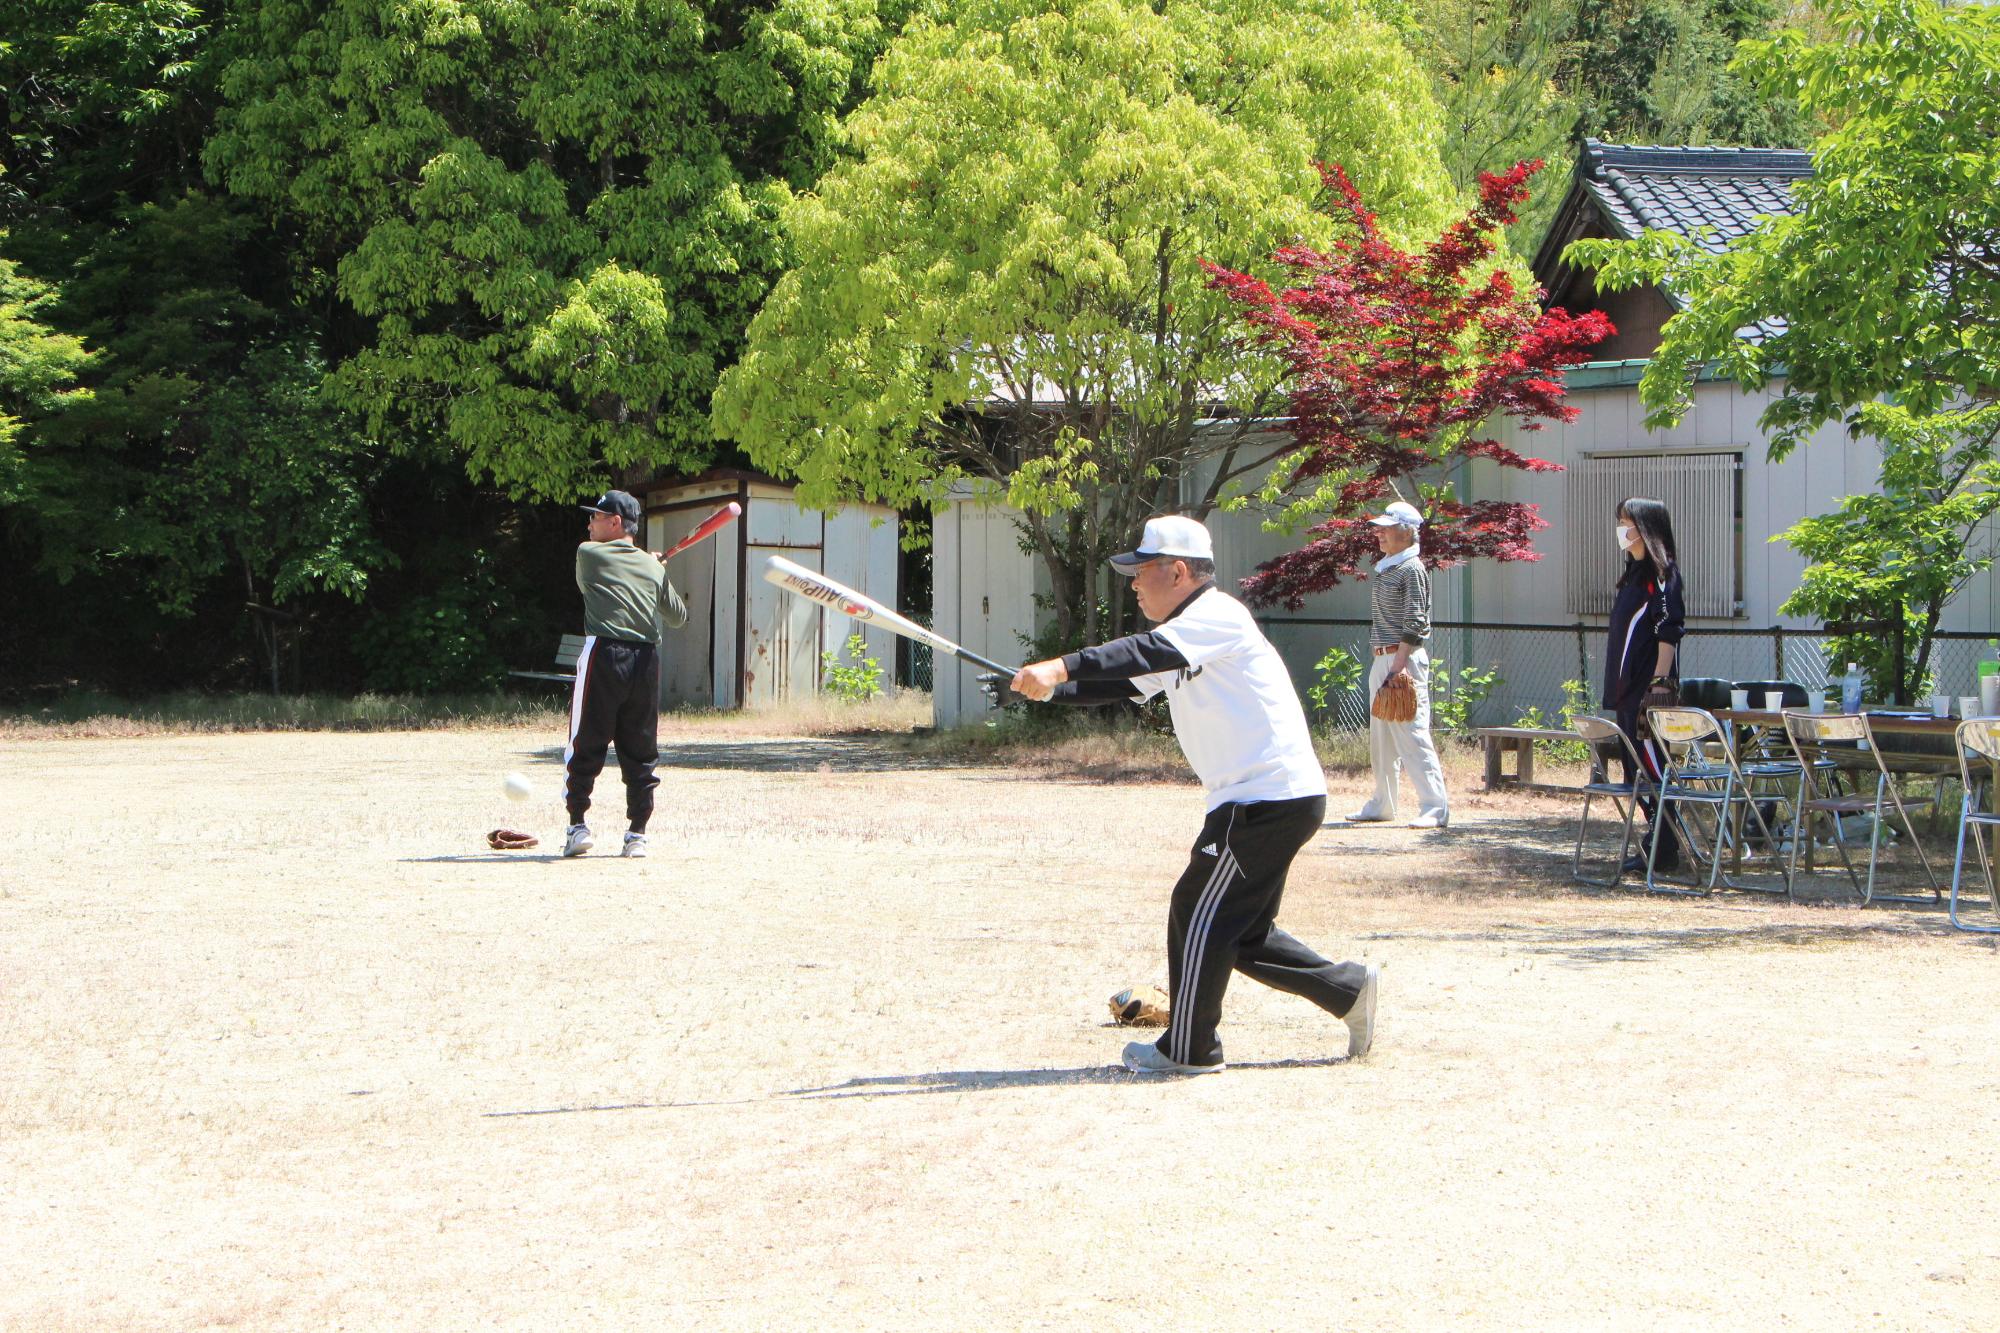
column 283, row 1046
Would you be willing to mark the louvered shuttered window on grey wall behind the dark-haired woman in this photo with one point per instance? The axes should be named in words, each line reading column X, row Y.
column 1705, row 497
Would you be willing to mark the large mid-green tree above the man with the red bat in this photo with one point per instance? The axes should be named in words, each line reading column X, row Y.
column 549, row 225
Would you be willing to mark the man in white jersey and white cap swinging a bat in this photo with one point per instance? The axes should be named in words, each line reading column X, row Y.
column 1243, row 732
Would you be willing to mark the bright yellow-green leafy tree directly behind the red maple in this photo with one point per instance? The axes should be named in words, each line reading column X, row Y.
column 1019, row 229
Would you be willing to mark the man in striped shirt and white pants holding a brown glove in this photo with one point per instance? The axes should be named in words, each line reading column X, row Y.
column 1399, row 631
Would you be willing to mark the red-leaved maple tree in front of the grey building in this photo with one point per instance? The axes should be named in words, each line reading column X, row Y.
column 1397, row 363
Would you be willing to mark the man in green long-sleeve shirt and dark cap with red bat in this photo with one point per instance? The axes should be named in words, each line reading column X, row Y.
column 617, row 696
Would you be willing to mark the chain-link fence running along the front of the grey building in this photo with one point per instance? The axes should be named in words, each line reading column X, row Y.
column 1535, row 661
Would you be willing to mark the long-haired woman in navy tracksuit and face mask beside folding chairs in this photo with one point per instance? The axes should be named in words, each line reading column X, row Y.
column 1643, row 643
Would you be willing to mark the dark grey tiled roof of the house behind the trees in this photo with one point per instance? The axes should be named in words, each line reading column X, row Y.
column 1727, row 191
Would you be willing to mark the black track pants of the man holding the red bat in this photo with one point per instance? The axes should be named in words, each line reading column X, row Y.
column 615, row 702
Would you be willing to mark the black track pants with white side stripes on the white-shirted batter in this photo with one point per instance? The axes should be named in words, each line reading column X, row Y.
column 1223, row 920
